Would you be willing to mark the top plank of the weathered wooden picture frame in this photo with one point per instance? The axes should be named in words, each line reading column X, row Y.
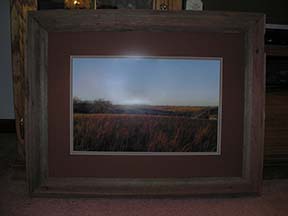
column 143, row 20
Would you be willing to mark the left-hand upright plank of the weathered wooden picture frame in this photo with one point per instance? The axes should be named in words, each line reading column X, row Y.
column 36, row 118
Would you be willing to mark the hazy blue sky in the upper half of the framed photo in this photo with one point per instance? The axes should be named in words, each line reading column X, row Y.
column 150, row 81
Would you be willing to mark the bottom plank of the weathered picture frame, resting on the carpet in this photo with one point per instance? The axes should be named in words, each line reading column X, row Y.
column 95, row 187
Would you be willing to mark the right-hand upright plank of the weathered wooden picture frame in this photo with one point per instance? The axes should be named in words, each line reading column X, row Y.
column 254, row 104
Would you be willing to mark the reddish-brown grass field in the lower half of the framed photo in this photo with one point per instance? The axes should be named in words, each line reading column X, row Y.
column 143, row 133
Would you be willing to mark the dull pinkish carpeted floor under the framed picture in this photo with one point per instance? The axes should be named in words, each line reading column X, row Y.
column 15, row 202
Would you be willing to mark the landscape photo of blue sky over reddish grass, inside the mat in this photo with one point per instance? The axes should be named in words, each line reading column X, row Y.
column 141, row 104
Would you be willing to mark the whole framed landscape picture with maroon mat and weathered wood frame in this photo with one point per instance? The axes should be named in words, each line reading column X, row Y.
column 139, row 105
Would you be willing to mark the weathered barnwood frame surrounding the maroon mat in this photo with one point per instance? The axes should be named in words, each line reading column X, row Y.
column 36, row 119
